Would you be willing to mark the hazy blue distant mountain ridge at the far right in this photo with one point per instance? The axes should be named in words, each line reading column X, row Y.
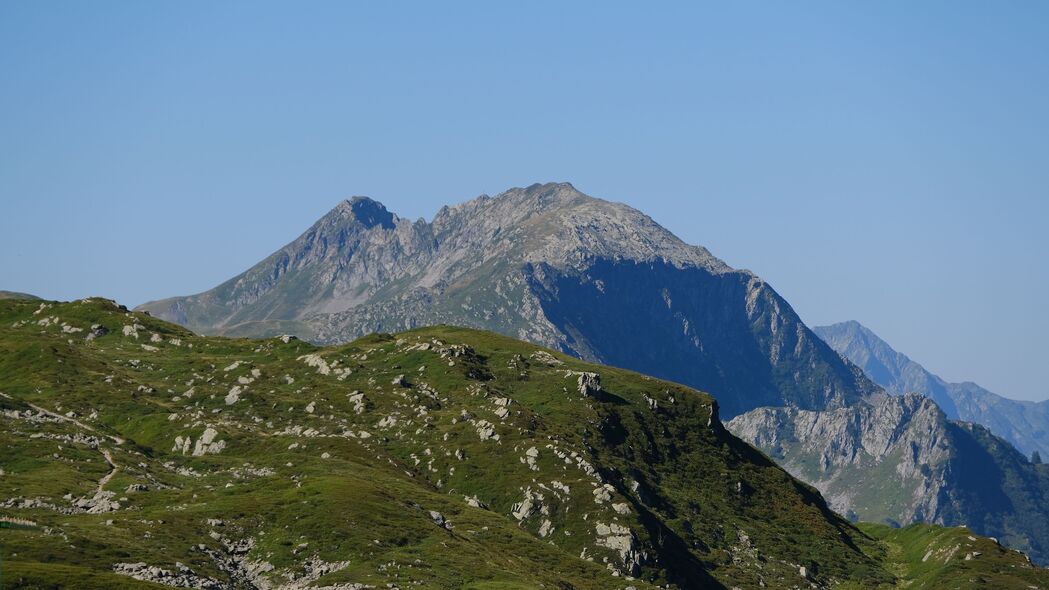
column 1023, row 424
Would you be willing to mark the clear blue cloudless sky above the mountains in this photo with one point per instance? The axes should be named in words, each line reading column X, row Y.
column 886, row 162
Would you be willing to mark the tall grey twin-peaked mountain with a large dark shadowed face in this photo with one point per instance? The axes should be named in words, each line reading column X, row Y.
column 546, row 264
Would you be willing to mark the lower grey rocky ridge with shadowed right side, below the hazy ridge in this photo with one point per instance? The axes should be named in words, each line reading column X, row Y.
column 901, row 460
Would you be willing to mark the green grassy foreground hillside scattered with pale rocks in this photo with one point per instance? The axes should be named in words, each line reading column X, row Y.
column 140, row 455
